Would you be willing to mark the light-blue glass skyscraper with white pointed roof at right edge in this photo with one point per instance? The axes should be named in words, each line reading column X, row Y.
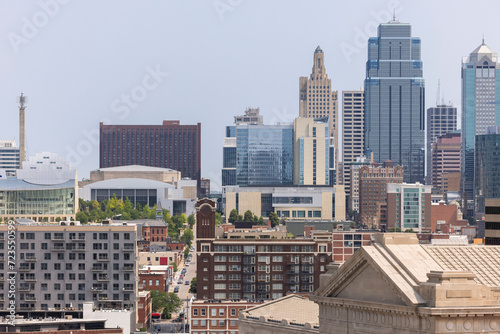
column 480, row 106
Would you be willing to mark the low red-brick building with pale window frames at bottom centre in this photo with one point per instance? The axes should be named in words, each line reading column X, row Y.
column 217, row 316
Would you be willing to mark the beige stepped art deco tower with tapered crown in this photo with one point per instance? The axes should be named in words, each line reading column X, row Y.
column 316, row 97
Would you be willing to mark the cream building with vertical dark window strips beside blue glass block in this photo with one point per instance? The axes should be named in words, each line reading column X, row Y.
column 311, row 142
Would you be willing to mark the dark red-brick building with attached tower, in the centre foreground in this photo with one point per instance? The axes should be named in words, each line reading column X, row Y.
column 254, row 269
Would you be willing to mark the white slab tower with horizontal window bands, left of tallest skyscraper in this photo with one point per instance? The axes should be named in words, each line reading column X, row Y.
column 353, row 118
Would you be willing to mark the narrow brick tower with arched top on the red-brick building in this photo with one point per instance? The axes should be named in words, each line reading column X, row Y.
column 205, row 235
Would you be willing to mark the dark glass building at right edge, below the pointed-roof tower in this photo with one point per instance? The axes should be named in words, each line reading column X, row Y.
column 487, row 168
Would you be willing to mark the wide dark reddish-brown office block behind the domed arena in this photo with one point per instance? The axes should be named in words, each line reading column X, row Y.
column 170, row 145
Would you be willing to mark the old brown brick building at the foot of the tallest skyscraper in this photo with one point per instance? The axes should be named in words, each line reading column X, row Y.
column 373, row 182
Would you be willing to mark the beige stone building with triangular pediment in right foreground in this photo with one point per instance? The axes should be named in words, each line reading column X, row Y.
column 399, row 286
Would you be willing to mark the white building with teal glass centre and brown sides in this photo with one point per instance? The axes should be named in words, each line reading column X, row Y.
column 409, row 207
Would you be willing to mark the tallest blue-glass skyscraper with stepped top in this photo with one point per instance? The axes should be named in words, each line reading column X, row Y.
column 395, row 99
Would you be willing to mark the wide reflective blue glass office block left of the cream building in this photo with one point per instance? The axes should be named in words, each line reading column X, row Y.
column 264, row 155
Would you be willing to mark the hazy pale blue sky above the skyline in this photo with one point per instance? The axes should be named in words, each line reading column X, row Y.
column 78, row 60
